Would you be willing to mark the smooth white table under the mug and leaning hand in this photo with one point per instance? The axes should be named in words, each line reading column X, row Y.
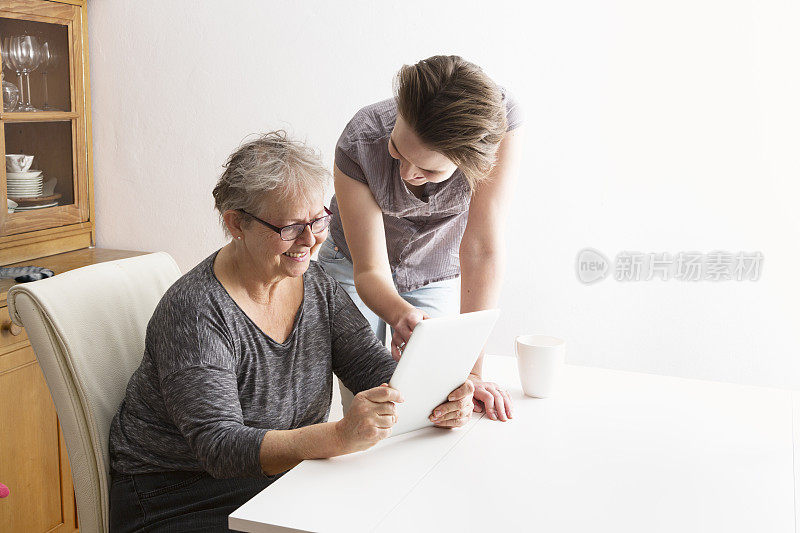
column 614, row 451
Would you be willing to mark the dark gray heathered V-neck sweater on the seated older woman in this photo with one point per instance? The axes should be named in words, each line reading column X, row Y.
column 212, row 383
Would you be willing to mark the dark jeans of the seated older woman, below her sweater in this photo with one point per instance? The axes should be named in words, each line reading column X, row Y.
column 177, row 501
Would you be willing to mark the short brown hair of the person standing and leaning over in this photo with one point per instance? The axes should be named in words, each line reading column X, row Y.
column 455, row 109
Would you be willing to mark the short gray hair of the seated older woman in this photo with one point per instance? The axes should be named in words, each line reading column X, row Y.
column 270, row 165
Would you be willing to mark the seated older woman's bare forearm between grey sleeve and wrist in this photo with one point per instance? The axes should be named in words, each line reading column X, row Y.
column 284, row 449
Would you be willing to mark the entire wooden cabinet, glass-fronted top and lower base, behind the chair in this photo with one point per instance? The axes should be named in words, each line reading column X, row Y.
column 44, row 61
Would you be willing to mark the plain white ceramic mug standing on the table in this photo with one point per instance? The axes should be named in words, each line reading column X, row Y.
column 540, row 359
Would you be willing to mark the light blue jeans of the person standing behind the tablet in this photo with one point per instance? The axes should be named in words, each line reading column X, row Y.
column 440, row 298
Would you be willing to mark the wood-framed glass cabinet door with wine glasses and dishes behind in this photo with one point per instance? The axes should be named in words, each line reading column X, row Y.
column 44, row 176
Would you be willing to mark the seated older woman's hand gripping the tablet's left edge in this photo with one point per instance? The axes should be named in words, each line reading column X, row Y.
column 370, row 418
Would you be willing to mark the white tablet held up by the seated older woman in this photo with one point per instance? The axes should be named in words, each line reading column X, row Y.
column 436, row 360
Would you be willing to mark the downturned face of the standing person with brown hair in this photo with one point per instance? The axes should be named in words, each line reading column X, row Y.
column 418, row 164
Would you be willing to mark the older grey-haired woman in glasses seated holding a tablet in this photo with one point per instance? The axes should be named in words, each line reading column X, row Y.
column 235, row 385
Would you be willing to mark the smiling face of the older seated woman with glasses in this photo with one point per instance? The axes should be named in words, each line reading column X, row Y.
column 272, row 256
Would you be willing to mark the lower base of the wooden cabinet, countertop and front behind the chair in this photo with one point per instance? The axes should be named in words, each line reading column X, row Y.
column 33, row 458
